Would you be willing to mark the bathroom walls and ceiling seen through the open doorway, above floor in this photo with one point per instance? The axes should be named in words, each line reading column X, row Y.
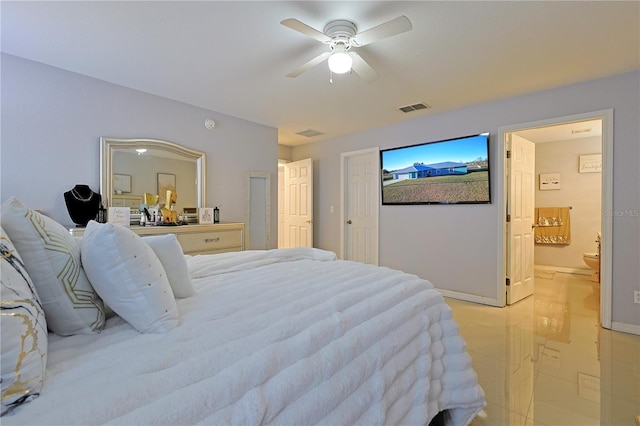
column 568, row 167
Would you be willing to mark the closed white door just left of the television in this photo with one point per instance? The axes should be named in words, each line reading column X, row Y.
column 361, row 183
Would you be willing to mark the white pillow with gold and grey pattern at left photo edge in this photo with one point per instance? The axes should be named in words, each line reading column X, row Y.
column 24, row 331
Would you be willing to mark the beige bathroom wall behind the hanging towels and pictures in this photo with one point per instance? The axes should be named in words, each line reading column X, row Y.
column 581, row 191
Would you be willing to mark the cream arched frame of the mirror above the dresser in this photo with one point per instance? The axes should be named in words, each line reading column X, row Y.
column 108, row 145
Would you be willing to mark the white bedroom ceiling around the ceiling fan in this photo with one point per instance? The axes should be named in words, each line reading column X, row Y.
column 232, row 57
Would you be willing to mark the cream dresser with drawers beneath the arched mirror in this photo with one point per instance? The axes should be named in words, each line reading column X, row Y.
column 195, row 239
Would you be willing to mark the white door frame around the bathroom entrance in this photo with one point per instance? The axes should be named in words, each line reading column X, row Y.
column 607, row 203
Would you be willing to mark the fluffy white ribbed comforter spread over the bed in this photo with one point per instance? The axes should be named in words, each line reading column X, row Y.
column 289, row 337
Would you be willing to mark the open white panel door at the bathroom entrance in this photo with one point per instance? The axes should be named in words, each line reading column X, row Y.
column 520, row 217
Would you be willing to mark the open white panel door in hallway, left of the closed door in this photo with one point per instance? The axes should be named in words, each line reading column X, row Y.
column 298, row 203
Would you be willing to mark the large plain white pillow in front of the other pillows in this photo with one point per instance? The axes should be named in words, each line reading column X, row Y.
column 127, row 274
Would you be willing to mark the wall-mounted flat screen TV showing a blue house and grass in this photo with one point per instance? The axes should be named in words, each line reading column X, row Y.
column 452, row 171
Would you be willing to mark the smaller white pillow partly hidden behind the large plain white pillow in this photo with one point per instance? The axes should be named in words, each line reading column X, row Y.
column 170, row 253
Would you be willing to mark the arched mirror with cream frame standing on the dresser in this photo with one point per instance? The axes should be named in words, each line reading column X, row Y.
column 131, row 167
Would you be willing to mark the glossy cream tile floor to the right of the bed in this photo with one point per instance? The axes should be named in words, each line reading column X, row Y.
column 546, row 361
